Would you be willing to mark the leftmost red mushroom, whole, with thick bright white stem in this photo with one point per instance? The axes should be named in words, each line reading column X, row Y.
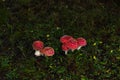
column 37, row 46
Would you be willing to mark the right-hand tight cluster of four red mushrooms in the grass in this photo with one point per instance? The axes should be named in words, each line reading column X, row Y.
column 70, row 43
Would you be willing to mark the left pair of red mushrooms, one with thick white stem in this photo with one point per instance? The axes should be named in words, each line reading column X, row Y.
column 40, row 50
